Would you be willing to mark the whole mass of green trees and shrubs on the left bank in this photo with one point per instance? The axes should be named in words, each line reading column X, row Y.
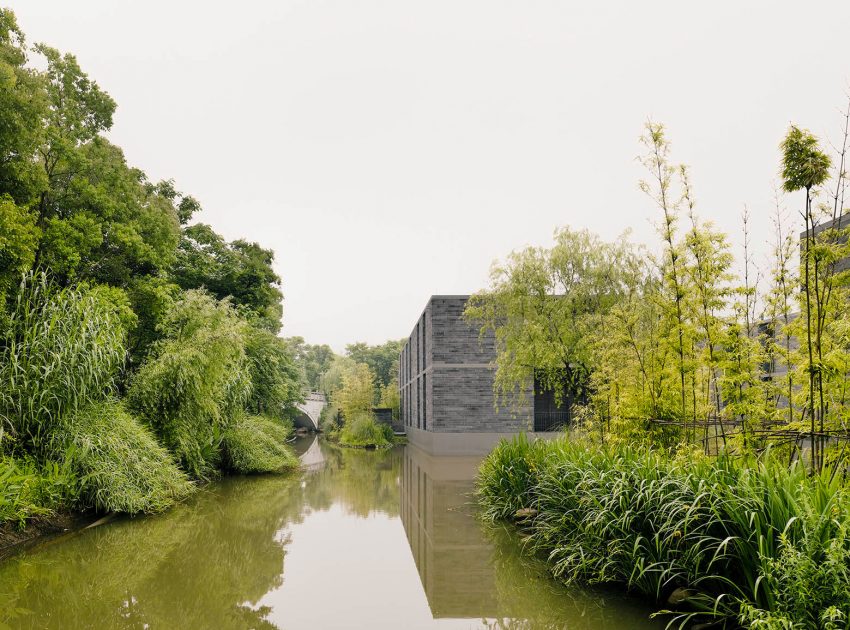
column 130, row 340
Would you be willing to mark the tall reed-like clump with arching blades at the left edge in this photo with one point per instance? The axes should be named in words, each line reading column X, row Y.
column 61, row 350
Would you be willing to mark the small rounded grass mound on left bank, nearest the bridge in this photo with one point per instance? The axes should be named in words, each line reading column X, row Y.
column 255, row 444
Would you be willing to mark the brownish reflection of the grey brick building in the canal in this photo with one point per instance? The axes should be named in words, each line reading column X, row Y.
column 451, row 553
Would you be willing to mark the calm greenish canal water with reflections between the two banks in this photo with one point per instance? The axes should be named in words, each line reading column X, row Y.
column 358, row 540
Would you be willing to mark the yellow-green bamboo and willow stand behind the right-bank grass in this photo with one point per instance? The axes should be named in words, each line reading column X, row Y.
column 693, row 343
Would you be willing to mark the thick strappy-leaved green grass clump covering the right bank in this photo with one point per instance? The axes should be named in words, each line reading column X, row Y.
column 755, row 543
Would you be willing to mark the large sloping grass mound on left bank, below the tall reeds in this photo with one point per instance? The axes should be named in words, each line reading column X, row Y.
column 120, row 465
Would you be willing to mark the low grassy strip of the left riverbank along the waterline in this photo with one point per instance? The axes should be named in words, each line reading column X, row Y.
column 40, row 500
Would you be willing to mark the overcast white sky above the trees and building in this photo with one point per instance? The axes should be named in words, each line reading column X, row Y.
column 390, row 150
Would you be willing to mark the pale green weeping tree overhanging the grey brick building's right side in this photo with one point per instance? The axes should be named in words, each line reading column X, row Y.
column 545, row 308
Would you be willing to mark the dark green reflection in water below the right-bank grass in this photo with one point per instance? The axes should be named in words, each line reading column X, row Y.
column 531, row 600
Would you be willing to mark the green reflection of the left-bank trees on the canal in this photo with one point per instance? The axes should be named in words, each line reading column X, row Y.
column 204, row 564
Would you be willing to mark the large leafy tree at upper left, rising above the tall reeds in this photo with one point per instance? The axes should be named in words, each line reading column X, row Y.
column 97, row 218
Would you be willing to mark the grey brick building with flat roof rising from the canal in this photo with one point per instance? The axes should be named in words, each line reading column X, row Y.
column 446, row 385
